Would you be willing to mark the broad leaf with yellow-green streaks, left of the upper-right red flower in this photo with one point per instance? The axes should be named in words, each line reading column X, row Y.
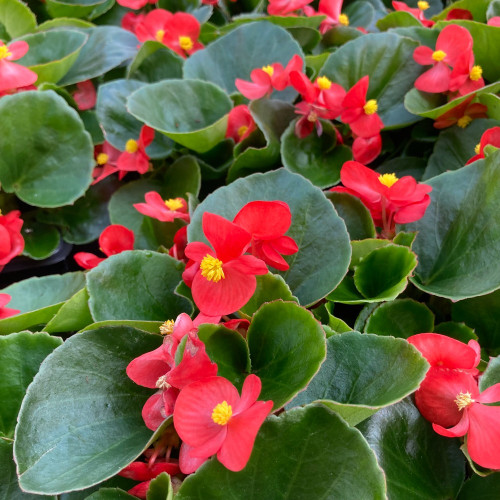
column 388, row 60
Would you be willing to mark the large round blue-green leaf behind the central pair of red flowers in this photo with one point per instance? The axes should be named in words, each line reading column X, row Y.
column 315, row 270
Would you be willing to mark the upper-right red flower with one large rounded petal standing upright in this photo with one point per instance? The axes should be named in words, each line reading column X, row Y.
column 452, row 42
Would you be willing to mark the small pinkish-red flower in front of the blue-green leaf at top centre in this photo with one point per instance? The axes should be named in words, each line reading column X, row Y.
column 267, row 78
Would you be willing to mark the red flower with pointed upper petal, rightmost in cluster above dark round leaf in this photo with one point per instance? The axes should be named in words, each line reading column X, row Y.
column 360, row 114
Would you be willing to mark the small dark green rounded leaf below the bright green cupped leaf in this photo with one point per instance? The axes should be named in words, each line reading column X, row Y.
column 400, row 318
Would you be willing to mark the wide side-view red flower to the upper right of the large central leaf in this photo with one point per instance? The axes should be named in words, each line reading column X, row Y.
column 390, row 200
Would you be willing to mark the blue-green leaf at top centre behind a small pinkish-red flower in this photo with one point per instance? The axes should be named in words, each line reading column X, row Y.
column 236, row 54
